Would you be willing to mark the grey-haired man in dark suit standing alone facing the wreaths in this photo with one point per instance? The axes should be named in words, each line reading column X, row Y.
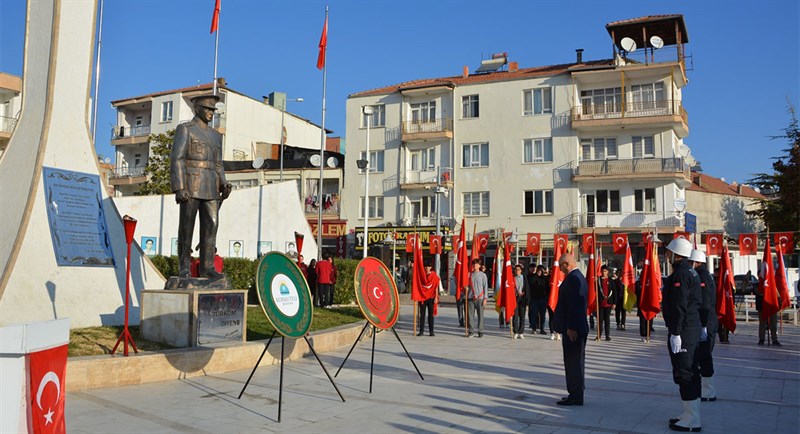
column 570, row 320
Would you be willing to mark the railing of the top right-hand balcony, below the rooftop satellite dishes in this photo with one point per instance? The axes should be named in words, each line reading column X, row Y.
column 637, row 109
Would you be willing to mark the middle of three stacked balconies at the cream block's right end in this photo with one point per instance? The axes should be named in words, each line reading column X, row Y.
column 633, row 169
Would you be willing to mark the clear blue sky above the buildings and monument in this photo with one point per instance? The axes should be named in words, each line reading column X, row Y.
column 744, row 54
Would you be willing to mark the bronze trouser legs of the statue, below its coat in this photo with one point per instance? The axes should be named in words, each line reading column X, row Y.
column 209, row 221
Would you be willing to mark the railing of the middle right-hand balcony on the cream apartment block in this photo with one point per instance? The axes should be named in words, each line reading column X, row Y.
column 634, row 166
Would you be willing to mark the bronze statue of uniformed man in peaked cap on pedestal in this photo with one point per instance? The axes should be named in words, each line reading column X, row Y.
column 198, row 181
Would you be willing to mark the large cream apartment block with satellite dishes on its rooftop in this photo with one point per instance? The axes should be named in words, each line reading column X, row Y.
column 571, row 148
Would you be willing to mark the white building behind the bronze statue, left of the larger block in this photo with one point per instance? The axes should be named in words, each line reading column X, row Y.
column 251, row 129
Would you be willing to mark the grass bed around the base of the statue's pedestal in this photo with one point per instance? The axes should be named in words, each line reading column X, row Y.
column 94, row 341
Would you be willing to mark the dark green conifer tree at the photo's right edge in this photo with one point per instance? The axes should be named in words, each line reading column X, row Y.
column 780, row 211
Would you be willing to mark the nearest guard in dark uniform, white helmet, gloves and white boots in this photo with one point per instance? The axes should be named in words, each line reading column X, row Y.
column 680, row 306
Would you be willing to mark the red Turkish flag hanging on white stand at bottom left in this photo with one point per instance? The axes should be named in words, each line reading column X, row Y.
column 47, row 388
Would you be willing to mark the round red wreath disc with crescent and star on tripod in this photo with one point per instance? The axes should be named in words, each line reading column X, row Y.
column 376, row 293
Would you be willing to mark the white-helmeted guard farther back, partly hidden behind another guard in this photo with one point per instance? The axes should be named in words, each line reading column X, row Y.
column 708, row 320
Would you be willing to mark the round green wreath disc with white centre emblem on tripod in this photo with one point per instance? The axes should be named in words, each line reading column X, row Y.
column 284, row 295
